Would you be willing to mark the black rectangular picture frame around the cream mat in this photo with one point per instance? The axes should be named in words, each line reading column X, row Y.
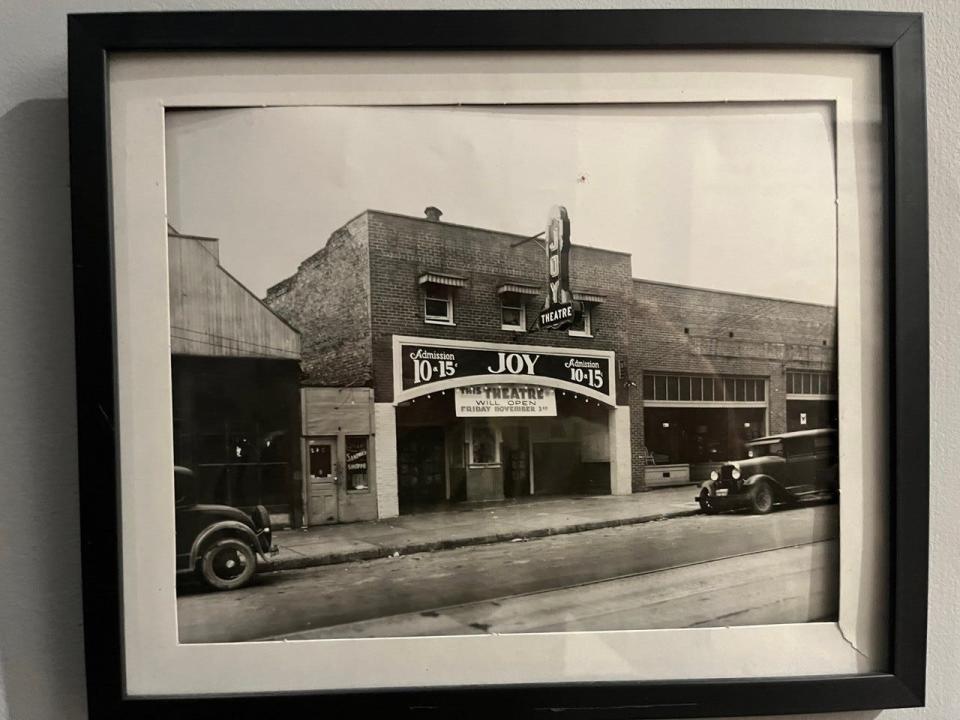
column 897, row 37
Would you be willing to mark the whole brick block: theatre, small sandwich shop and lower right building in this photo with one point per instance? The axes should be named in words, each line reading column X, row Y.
column 427, row 380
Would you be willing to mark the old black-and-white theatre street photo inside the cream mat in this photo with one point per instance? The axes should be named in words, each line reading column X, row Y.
column 515, row 369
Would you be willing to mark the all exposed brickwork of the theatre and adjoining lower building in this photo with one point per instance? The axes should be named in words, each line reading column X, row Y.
column 352, row 296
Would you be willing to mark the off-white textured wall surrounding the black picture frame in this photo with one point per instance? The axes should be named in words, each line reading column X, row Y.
column 41, row 656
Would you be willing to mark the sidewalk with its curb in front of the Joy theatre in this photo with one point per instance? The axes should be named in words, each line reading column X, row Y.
column 476, row 524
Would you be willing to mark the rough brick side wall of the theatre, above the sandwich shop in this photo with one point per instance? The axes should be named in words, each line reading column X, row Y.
column 328, row 301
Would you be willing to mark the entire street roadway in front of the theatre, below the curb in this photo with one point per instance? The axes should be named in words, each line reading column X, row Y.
column 683, row 572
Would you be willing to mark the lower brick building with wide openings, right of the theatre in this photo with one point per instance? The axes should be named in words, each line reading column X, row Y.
column 720, row 368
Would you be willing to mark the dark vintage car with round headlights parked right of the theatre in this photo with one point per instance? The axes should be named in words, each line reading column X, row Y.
column 779, row 469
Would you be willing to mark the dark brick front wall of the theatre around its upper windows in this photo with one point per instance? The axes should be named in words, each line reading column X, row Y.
column 403, row 248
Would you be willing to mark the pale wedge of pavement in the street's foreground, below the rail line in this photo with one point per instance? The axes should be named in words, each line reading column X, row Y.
column 796, row 584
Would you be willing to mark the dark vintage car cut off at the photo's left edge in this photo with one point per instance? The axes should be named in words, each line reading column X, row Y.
column 218, row 543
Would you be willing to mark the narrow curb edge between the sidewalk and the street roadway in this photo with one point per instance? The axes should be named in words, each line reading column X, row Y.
column 306, row 561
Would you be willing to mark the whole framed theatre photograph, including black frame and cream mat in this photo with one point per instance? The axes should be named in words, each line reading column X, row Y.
column 522, row 362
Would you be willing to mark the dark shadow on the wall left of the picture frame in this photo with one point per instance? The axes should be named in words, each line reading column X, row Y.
column 40, row 603
